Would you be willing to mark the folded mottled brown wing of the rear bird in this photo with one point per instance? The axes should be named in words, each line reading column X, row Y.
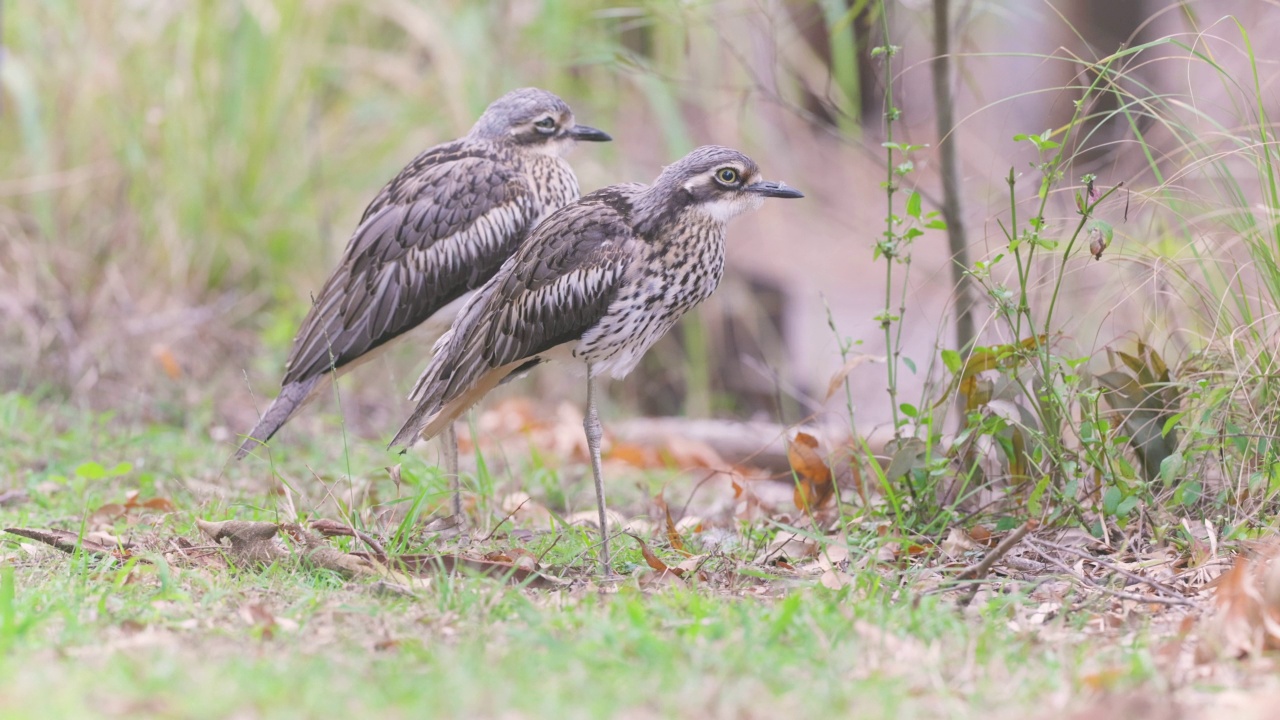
column 437, row 231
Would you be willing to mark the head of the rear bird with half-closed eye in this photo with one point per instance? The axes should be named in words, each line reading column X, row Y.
column 534, row 120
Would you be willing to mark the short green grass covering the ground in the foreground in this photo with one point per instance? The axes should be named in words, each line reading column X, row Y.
column 161, row 639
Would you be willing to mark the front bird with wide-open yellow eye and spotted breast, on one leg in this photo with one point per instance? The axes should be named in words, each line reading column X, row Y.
column 596, row 285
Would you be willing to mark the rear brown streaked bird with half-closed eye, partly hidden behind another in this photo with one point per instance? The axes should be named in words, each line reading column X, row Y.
column 441, row 229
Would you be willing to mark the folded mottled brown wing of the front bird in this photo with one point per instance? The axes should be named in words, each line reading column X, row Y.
column 559, row 285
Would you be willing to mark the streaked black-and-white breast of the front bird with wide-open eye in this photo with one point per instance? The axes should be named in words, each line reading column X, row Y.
column 670, row 280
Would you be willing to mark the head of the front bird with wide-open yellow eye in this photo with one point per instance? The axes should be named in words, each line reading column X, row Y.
column 720, row 183
